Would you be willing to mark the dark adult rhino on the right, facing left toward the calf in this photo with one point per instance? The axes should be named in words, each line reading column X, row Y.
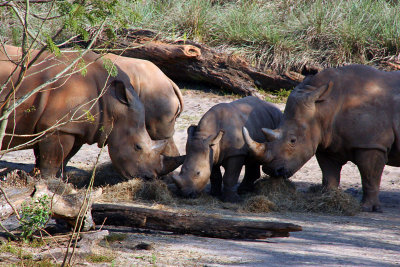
column 341, row 114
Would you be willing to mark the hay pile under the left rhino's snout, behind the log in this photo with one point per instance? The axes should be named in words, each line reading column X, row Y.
column 137, row 189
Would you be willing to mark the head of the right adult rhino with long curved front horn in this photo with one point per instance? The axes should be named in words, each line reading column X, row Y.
column 296, row 140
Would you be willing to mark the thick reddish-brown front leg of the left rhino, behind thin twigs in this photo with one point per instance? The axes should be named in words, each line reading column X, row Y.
column 52, row 152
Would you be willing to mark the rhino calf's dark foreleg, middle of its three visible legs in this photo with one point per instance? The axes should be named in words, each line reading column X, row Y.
column 232, row 166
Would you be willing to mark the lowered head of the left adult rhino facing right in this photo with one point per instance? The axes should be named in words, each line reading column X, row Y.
column 132, row 151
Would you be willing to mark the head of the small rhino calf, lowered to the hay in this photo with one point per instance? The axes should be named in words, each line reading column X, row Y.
column 196, row 169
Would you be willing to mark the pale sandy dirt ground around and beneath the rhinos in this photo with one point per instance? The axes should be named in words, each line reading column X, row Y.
column 366, row 239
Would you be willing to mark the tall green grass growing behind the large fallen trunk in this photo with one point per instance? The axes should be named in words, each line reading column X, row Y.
column 284, row 34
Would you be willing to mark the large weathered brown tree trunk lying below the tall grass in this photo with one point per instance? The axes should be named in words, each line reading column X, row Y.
column 193, row 62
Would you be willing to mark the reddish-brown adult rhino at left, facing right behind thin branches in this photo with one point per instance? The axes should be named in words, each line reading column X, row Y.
column 87, row 106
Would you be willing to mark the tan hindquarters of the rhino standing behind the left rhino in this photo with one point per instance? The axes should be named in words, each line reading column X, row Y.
column 162, row 99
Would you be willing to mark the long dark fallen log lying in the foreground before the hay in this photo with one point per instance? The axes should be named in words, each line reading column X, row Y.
column 186, row 223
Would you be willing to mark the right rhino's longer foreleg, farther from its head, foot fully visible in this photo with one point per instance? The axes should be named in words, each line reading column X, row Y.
column 370, row 164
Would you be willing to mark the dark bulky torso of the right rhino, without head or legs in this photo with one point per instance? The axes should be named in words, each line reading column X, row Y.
column 362, row 100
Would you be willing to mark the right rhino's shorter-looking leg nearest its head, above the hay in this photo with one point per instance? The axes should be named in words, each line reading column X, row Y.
column 331, row 169
